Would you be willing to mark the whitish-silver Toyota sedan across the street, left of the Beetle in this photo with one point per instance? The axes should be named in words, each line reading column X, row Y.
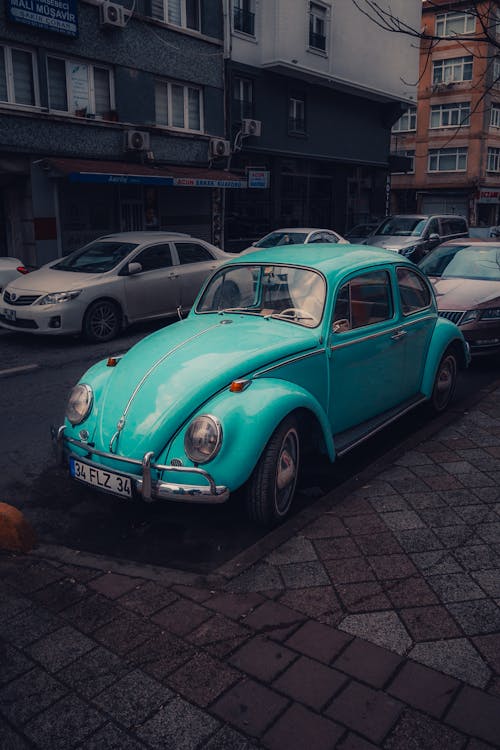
column 111, row 282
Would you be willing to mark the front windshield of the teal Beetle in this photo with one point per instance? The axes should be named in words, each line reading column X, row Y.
column 286, row 293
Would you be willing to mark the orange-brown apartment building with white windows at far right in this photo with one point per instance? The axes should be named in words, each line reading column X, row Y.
column 452, row 135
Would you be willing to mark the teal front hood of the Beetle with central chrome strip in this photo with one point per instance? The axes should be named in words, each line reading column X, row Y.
column 168, row 376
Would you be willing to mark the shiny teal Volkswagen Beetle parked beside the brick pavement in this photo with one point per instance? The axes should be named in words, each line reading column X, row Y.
column 285, row 351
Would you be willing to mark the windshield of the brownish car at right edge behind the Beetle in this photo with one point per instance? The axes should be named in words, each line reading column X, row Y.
column 457, row 261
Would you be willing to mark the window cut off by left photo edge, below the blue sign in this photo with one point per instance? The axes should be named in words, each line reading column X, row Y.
column 17, row 77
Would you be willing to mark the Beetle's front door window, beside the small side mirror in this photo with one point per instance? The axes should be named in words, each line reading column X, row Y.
column 363, row 301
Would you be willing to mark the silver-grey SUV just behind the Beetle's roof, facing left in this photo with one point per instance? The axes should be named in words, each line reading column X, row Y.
column 414, row 235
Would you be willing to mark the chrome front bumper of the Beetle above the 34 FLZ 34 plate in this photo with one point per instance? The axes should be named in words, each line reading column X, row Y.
column 148, row 488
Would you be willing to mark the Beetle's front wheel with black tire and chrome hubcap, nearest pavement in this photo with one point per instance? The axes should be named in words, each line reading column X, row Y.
column 266, row 502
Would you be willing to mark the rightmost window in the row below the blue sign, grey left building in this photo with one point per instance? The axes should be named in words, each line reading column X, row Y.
column 178, row 106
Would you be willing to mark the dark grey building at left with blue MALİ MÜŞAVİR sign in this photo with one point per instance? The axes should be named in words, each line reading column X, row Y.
column 107, row 121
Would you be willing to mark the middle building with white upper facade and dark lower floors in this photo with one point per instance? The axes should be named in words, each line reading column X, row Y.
column 323, row 85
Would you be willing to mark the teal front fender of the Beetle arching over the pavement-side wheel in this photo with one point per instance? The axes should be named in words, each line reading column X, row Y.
column 248, row 420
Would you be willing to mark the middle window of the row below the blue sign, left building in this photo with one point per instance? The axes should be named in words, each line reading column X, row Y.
column 78, row 88
